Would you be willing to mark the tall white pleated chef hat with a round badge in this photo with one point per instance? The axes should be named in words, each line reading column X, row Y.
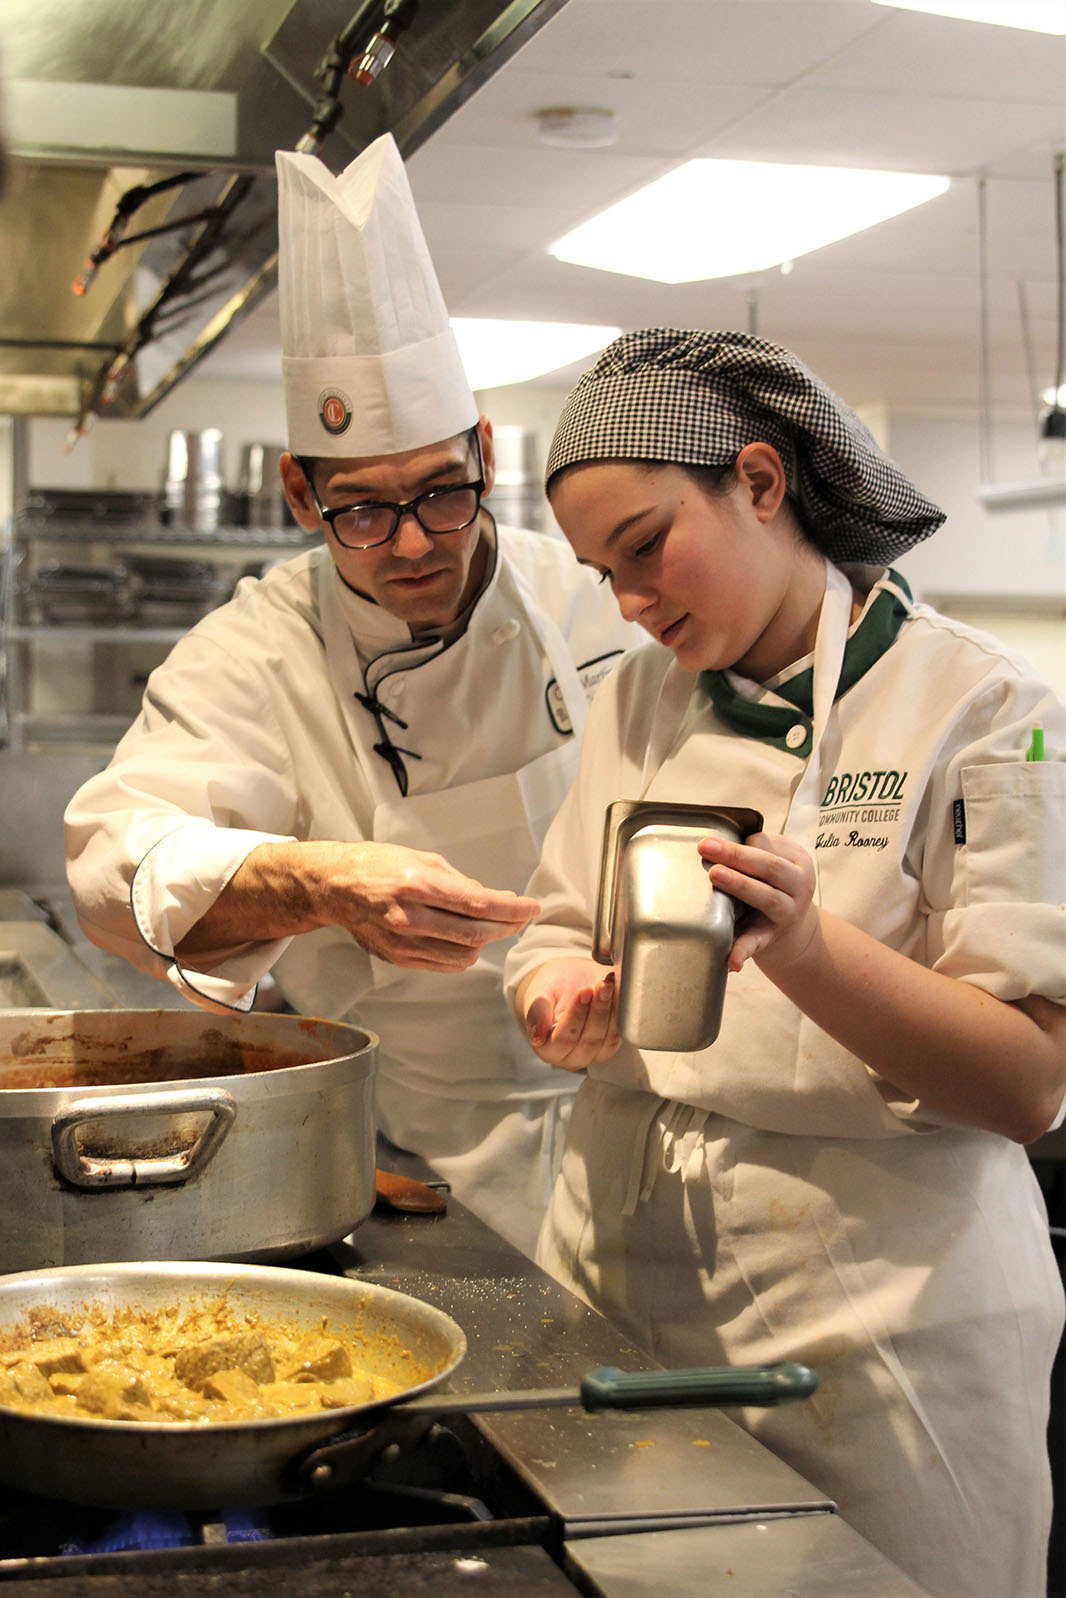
column 370, row 362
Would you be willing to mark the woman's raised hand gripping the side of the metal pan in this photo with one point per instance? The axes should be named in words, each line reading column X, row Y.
column 776, row 880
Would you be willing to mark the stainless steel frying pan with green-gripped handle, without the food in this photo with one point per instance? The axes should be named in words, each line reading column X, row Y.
column 129, row 1465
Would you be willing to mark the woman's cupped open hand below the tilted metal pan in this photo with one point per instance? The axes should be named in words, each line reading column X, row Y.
column 568, row 1008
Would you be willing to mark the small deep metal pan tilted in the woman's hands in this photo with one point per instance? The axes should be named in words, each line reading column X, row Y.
column 661, row 924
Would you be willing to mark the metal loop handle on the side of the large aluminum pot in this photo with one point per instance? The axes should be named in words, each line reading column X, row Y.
column 154, row 1171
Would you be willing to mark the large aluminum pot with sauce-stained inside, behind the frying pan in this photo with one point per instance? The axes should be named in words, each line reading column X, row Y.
column 175, row 1135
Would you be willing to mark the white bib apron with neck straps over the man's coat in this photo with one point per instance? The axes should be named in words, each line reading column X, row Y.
column 467, row 1092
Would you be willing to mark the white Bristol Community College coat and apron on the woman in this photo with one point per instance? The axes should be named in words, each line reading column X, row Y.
column 771, row 1198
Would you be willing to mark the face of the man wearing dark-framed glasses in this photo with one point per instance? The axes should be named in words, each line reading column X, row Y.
column 423, row 579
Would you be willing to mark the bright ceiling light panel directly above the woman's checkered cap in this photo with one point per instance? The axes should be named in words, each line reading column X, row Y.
column 718, row 220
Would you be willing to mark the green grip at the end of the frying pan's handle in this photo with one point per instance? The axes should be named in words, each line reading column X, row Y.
column 714, row 1385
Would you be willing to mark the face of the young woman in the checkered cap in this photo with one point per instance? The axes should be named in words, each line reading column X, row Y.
column 723, row 581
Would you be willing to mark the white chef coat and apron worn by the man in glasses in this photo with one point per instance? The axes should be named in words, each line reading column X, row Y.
column 252, row 733
